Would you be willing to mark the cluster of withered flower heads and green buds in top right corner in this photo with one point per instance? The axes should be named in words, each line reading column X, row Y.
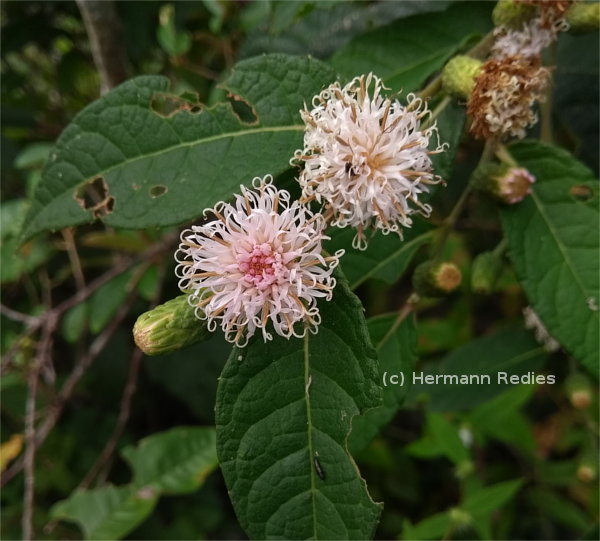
column 502, row 91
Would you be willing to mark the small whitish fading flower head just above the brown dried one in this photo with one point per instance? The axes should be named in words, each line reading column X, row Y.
column 529, row 41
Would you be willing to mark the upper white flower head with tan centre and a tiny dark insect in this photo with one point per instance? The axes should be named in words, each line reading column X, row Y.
column 366, row 157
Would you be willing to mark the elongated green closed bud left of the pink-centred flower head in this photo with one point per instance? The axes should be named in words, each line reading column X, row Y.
column 168, row 327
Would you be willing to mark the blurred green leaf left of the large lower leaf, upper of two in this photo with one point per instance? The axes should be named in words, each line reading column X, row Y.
column 173, row 462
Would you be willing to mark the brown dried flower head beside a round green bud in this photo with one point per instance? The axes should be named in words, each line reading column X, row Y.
column 505, row 91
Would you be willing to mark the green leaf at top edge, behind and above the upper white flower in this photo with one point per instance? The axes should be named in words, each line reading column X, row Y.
column 407, row 51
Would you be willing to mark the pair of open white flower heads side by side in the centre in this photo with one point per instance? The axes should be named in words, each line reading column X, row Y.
column 258, row 262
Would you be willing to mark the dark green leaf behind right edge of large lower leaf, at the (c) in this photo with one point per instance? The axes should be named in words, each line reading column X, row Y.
column 395, row 346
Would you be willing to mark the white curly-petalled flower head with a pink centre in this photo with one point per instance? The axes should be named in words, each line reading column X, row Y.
column 258, row 261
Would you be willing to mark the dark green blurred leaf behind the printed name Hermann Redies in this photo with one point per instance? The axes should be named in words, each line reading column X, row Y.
column 508, row 352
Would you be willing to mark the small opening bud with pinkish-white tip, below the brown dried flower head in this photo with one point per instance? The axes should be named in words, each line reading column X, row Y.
column 504, row 182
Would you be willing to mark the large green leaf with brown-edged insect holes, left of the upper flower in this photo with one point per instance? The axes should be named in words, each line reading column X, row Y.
column 159, row 168
